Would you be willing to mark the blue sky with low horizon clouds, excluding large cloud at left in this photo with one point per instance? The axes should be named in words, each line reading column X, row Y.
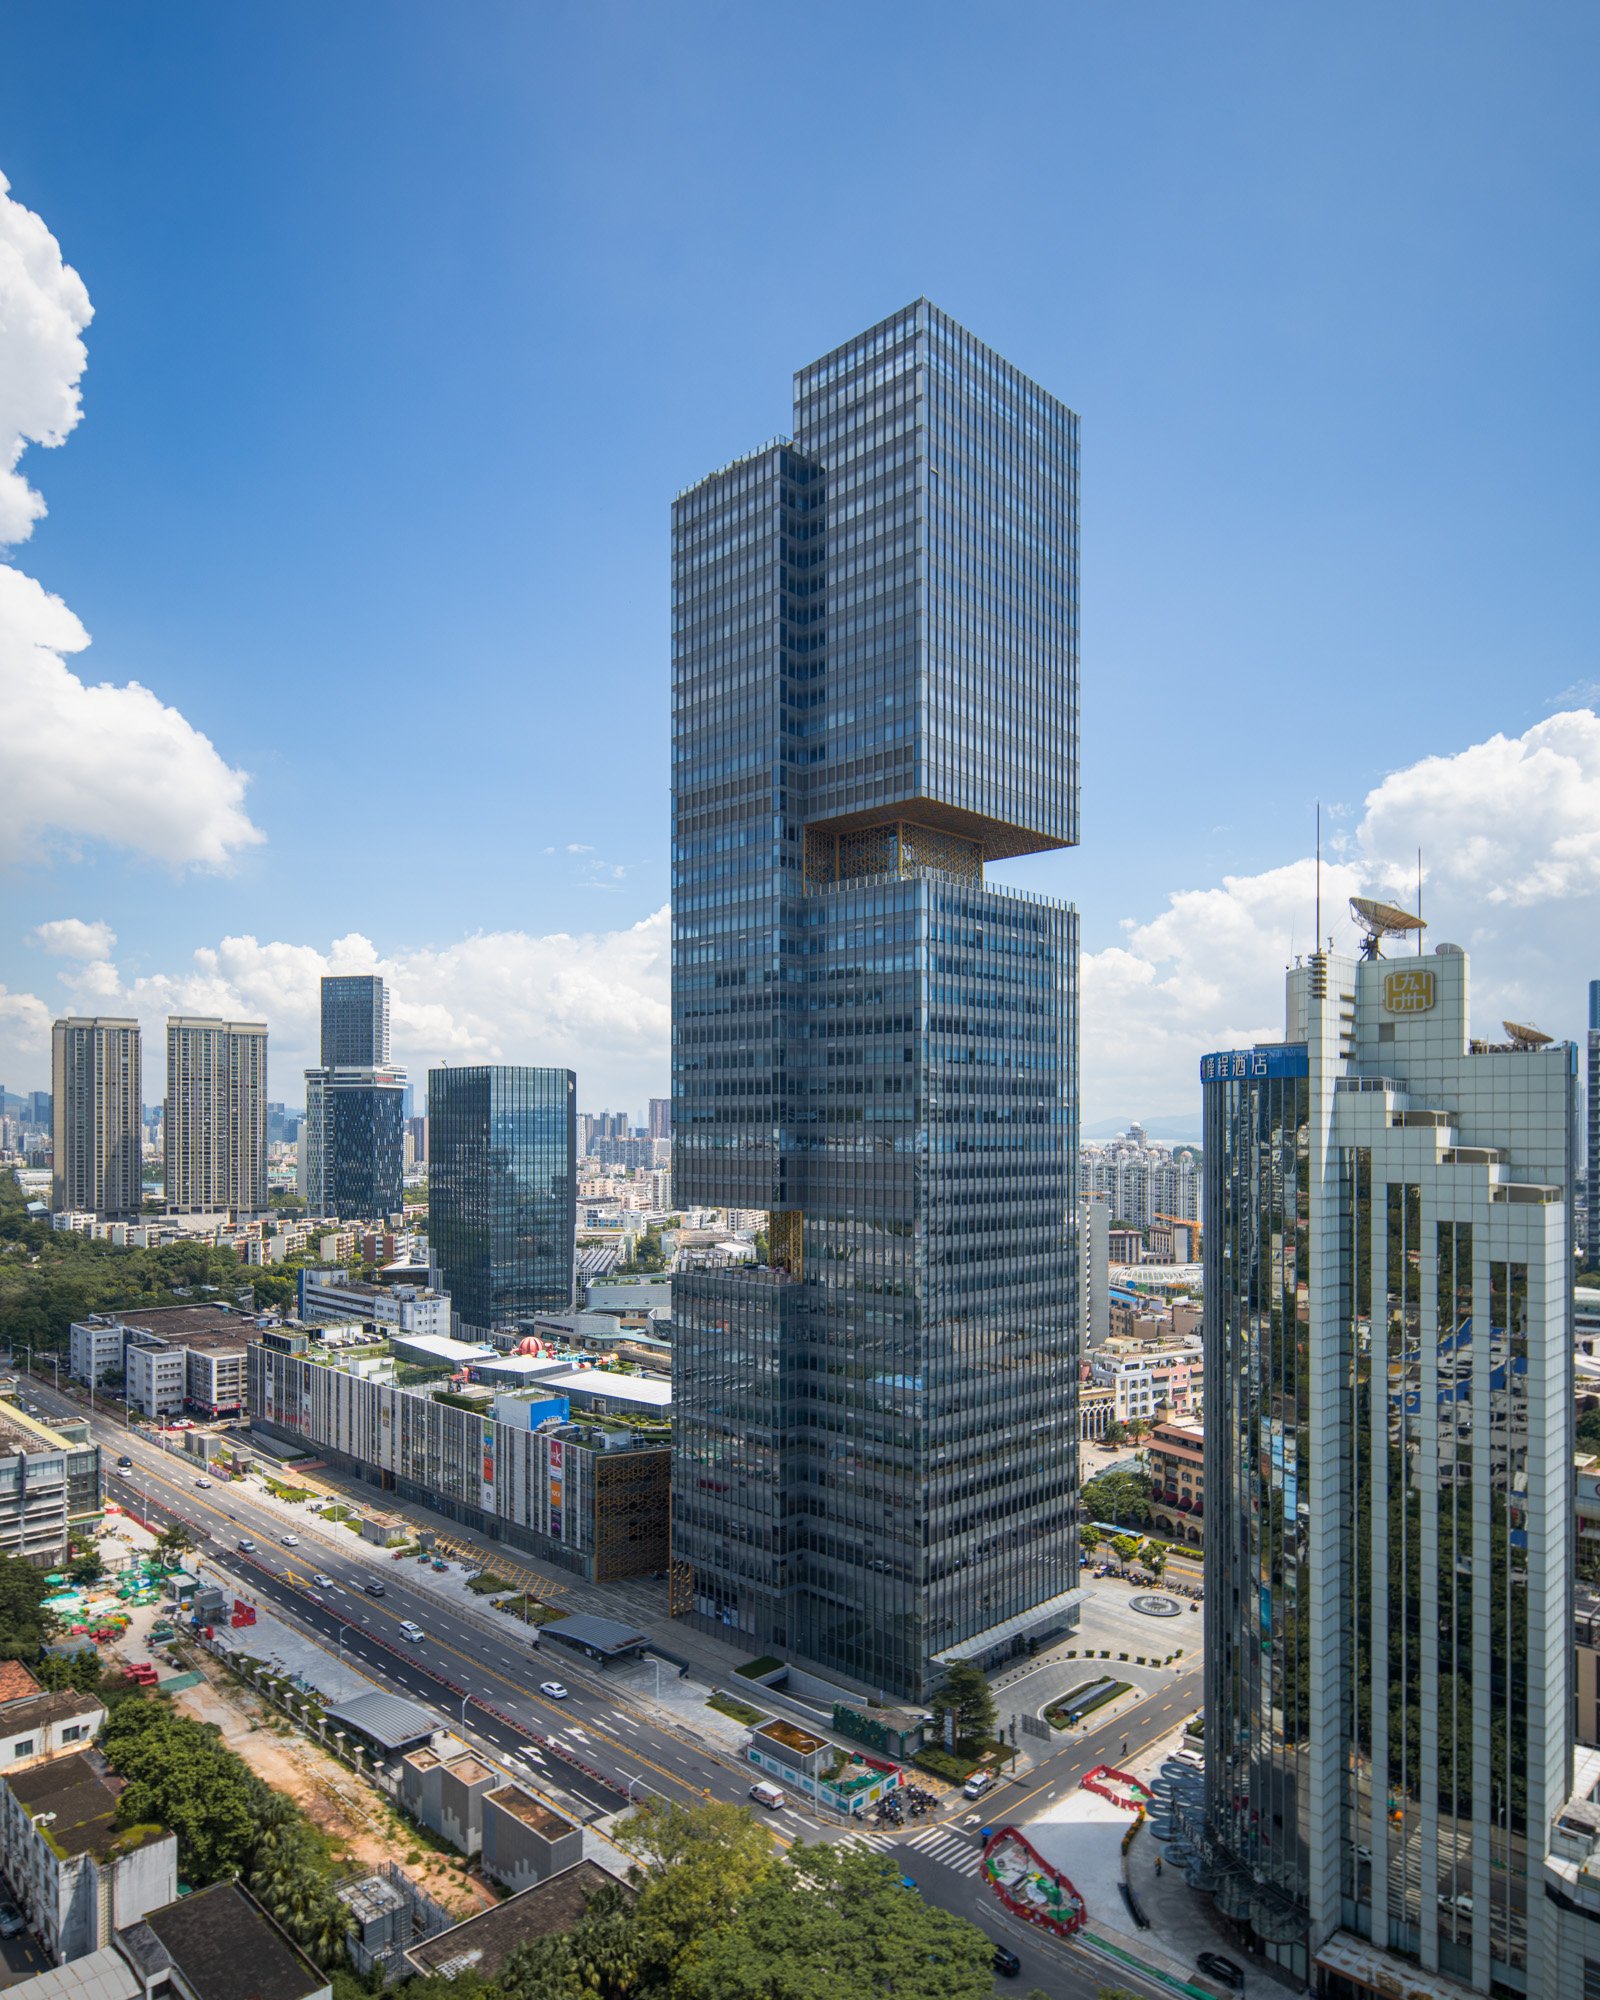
column 409, row 321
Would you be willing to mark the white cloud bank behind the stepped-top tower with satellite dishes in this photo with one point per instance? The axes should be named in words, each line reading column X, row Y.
column 1511, row 855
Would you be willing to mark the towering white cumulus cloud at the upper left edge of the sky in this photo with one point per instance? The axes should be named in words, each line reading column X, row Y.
column 83, row 761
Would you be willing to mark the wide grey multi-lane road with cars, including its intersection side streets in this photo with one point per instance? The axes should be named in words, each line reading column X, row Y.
column 599, row 1747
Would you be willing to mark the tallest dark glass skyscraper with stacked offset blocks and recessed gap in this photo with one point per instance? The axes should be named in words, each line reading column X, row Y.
column 877, row 697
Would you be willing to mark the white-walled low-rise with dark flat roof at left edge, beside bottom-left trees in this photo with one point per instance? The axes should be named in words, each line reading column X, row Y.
column 77, row 1873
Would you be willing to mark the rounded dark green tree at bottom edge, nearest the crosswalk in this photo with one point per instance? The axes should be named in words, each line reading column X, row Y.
column 837, row 1921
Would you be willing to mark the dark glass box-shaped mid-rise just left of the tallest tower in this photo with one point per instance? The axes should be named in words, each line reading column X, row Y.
column 503, row 1193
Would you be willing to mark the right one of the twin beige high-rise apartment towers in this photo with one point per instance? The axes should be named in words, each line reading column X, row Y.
column 215, row 1117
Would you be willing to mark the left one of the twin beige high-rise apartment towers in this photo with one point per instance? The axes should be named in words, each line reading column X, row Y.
column 97, row 1117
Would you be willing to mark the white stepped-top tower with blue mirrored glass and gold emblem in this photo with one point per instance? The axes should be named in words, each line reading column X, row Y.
column 1389, row 1485
